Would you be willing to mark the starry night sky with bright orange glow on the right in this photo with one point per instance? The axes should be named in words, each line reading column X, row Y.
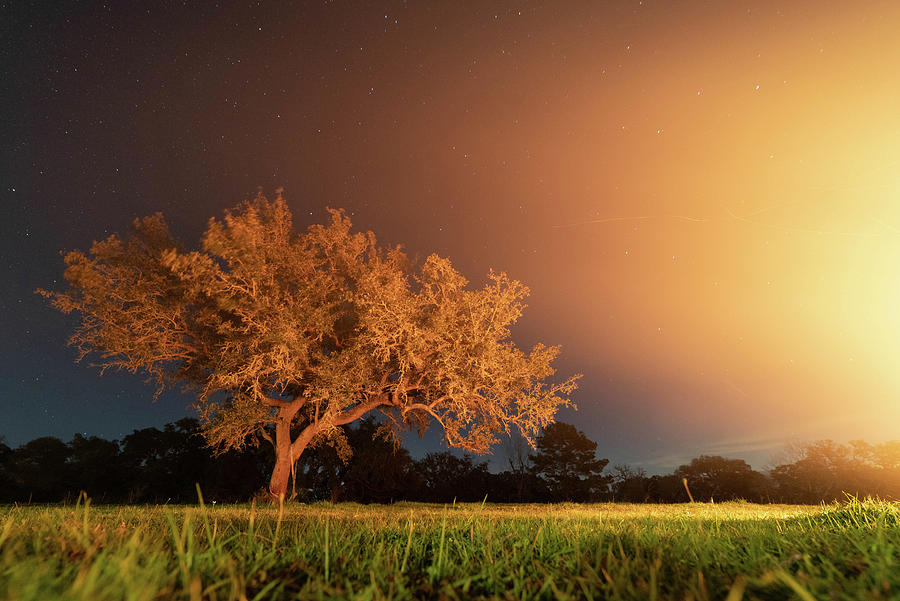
column 702, row 196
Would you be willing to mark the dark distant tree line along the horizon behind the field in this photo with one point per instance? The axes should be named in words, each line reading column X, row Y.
column 158, row 466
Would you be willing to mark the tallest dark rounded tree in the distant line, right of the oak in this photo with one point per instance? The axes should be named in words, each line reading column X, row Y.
column 566, row 459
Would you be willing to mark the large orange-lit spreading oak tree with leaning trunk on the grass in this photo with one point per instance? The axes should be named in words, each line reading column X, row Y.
column 286, row 336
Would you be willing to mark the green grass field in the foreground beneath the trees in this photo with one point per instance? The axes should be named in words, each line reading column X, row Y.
column 413, row 551
